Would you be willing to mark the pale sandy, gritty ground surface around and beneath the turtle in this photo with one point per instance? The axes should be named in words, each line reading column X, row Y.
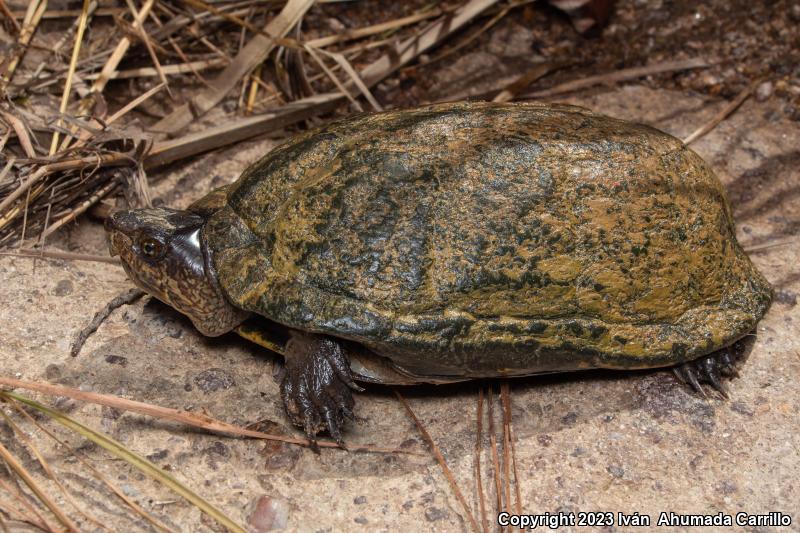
column 592, row 442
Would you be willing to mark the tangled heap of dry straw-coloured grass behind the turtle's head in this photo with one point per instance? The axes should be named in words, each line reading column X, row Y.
column 59, row 162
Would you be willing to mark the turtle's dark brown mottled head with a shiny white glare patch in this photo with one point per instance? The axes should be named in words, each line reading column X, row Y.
column 163, row 253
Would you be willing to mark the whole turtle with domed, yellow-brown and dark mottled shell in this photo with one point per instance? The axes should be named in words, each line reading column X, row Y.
column 458, row 241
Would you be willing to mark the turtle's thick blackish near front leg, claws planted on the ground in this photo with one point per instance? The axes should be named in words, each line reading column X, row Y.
column 316, row 388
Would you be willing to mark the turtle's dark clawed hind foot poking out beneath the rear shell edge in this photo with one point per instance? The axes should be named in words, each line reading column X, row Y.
column 713, row 369
